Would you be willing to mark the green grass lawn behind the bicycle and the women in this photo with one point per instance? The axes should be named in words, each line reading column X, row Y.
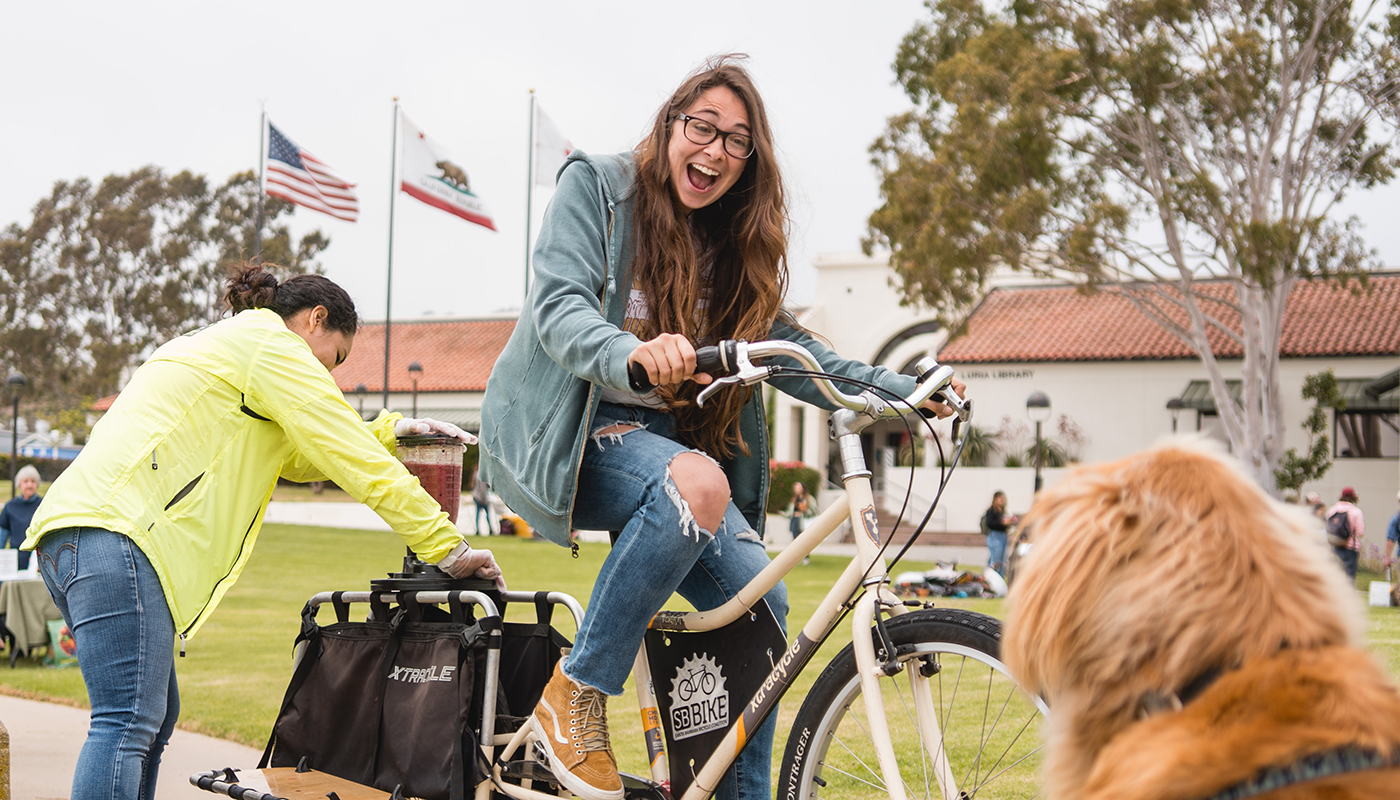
column 236, row 672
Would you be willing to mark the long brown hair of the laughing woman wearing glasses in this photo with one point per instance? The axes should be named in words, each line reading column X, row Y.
column 744, row 235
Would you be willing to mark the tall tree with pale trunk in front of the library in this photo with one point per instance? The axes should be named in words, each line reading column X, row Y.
column 1144, row 146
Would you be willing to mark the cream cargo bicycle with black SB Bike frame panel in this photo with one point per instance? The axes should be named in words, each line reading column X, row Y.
column 918, row 705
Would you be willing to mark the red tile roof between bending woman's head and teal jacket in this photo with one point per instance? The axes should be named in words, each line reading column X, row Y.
column 457, row 357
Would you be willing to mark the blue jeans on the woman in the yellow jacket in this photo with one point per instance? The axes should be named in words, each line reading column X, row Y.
column 125, row 640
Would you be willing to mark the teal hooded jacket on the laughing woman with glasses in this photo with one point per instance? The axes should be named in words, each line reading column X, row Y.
column 569, row 340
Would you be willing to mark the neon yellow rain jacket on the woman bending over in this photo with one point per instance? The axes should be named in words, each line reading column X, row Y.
column 187, row 459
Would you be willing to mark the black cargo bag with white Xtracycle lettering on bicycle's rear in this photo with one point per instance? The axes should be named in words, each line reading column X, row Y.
column 388, row 704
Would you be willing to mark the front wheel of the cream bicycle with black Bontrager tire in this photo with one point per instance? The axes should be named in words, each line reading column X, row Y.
column 988, row 735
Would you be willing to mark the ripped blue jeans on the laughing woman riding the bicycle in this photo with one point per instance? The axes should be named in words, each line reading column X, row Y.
column 625, row 485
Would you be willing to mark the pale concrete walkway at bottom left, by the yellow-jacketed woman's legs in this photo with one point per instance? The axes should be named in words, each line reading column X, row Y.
column 45, row 740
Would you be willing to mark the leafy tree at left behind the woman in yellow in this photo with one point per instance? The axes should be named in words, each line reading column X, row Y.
column 104, row 273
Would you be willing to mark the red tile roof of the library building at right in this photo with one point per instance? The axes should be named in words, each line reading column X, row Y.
column 1060, row 324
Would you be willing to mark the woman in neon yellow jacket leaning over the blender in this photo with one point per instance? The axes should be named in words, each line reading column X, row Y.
column 152, row 525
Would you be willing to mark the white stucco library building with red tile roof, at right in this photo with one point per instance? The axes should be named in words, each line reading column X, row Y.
column 1108, row 371
